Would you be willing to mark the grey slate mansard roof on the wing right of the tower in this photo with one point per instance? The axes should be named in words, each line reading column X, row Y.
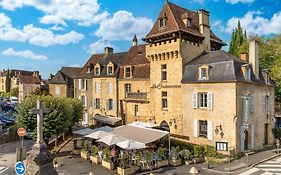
column 224, row 67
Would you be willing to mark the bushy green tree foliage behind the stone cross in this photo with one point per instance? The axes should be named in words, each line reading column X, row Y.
column 62, row 114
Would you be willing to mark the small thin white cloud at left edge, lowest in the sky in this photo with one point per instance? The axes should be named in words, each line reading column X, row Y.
column 23, row 54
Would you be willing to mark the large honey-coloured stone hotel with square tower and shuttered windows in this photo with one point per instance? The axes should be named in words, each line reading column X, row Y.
column 182, row 82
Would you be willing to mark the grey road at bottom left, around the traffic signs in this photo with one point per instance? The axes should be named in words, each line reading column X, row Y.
column 8, row 156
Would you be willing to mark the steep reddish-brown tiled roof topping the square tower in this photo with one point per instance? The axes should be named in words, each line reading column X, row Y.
column 174, row 23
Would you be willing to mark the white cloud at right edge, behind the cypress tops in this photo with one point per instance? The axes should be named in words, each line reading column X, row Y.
column 254, row 23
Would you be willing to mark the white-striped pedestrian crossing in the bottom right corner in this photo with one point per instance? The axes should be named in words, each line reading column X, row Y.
column 272, row 167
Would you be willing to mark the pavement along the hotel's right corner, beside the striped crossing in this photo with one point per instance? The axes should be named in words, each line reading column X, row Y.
column 241, row 164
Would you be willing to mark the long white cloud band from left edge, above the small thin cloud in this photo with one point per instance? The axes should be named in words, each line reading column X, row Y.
column 35, row 35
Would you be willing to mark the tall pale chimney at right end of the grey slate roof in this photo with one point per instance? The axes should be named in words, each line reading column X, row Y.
column 254, row 57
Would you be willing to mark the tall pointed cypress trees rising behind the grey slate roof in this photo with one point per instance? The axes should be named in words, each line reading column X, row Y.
column 238, row 43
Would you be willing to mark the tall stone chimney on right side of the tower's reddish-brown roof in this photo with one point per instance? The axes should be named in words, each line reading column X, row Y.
column 204, row 27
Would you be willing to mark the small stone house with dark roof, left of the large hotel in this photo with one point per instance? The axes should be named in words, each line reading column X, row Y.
column 62, row 84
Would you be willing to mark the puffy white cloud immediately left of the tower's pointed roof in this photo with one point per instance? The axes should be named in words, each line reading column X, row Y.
column 122, row 26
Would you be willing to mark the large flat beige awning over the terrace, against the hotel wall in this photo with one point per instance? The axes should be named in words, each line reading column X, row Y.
column 140, row 134
